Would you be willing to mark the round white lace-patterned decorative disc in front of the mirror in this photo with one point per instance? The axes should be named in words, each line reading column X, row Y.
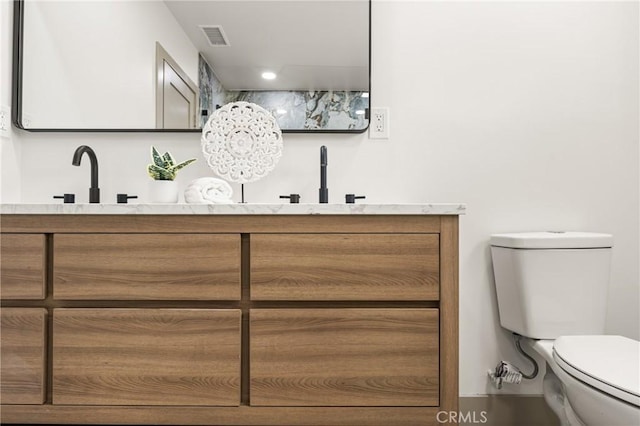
column 242, row 142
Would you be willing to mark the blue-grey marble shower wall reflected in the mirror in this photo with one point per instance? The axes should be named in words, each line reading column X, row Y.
column 294, row 110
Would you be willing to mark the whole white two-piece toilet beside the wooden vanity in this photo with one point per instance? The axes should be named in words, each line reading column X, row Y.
column 552, row 289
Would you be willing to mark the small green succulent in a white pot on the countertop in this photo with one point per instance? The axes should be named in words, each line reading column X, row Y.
column 163, row 170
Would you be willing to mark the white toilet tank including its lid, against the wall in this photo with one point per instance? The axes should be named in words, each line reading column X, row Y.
column 551, row 284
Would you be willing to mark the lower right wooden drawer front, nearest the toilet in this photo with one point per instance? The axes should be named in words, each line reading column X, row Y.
column 340, row 357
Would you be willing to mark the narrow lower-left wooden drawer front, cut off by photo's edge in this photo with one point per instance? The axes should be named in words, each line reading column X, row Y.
column 22, row 350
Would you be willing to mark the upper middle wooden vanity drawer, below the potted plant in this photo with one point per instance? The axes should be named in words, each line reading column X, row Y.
column 146, row 266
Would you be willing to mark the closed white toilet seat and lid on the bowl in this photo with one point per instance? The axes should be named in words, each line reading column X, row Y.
column 608, row 363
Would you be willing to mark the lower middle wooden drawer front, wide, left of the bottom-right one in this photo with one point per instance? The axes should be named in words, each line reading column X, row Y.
column 146, row 357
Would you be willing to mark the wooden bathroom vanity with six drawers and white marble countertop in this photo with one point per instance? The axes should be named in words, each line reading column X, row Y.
column 229, row 314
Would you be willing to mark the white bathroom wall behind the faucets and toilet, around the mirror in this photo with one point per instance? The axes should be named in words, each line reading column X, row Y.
column 528, row 112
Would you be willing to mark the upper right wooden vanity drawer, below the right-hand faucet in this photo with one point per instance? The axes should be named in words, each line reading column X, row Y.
column 345, row 266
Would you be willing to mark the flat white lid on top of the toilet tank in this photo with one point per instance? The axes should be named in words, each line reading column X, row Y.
column 552, row 240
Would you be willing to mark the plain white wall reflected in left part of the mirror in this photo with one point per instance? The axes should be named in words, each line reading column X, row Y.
column 102, row 87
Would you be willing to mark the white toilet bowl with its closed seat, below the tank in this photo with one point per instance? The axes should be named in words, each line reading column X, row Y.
column 592, row 380
